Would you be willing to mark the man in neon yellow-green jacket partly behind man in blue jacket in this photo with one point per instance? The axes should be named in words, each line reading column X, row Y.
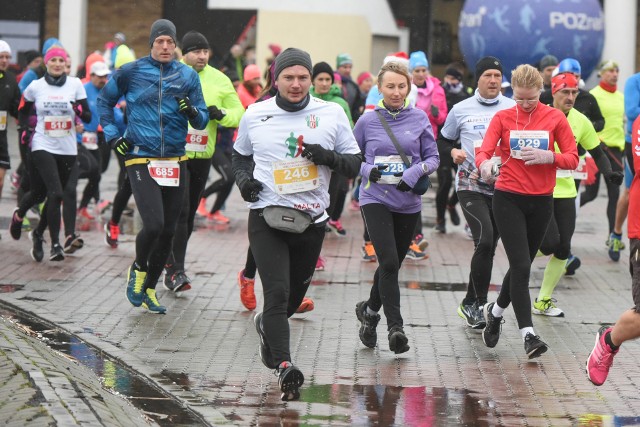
column 225, row 110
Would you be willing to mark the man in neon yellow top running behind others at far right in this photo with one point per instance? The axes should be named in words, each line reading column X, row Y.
column 611, row 103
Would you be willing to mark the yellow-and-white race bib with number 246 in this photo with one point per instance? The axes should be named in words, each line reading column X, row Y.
column 295, row 176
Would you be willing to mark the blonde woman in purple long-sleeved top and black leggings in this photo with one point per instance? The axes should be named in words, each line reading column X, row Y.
column 390, row 208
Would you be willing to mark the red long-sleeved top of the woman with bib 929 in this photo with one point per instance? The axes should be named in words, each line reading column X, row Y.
column 515, row 177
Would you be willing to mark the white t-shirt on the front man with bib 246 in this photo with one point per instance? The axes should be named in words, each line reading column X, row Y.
column 273, row 136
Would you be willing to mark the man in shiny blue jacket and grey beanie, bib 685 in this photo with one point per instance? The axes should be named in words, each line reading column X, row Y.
column 163, row 96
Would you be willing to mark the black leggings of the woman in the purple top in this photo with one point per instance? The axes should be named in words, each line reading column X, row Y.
column 391, row 234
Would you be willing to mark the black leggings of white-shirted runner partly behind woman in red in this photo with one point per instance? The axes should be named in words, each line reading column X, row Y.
column 478, row 212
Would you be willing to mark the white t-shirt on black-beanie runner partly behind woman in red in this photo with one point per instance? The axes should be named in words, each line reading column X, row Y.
column 468, row 121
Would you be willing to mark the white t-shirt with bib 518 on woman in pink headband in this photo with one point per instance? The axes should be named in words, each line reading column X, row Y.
column 55, row 131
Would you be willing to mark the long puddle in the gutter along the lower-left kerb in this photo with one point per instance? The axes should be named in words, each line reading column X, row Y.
column 157, row 405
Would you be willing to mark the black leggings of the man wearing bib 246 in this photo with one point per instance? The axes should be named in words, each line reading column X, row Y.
column 286, row 262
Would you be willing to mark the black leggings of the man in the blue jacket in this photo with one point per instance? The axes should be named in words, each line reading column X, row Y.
column 159, row 209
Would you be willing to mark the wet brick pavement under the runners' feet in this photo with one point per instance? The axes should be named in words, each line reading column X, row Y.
column 203, row 352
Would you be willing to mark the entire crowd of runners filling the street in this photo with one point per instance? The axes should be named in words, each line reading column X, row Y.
column 520, row 157
